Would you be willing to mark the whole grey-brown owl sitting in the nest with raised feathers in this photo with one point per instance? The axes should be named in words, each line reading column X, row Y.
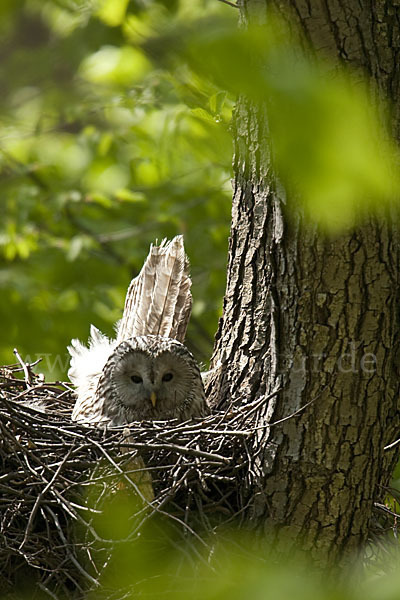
column 146, row 373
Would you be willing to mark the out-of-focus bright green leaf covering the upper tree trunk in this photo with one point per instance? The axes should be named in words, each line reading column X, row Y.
column 328, row 138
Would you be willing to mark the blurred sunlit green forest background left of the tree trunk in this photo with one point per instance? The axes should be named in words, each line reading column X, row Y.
column 101, row 153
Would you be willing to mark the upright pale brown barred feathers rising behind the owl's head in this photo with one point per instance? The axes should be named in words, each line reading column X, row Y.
column 159, row 301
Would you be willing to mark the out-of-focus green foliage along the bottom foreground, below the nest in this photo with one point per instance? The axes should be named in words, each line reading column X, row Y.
column 162, row 561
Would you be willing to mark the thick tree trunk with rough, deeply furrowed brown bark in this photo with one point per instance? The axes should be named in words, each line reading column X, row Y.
column 304, row 313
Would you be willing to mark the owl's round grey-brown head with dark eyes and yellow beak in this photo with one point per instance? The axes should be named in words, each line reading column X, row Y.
column 151, row 378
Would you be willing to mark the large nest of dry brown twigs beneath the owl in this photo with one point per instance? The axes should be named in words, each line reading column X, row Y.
column 58, row 479
